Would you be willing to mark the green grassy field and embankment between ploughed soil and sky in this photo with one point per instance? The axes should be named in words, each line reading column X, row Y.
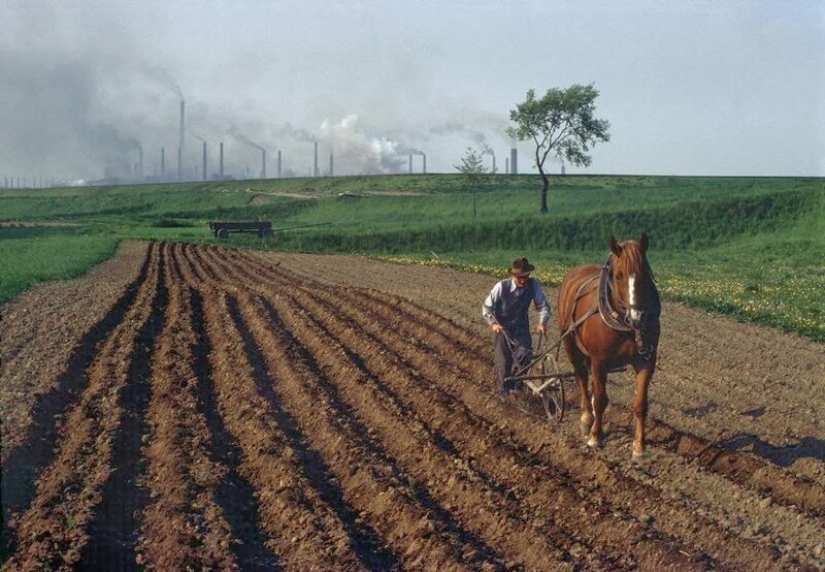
column 749, row 247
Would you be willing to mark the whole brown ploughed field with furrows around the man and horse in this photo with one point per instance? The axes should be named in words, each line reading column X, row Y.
column 197, row 407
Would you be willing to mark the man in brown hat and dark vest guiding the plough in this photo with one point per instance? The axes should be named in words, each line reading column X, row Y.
column 506, row 310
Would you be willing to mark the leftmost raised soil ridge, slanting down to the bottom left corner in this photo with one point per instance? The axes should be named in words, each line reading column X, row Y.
column 55, row 528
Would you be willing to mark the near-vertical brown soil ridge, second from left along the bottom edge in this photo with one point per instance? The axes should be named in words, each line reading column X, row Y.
column 176, row 531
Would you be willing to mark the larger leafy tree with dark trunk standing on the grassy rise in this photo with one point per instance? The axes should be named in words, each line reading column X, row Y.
column 561, row 123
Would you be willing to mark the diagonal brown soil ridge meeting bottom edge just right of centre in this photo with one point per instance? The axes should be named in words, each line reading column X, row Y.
column 371, row 481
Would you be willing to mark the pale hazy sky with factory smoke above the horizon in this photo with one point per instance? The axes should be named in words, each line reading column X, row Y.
column 689, row 87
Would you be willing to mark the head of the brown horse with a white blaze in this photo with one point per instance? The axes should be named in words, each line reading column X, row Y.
column 633, row 281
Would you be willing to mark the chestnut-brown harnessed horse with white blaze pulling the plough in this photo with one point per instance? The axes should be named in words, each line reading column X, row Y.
column 608, row 318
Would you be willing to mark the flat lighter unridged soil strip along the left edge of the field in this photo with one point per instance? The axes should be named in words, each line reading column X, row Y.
column 49, row 337
